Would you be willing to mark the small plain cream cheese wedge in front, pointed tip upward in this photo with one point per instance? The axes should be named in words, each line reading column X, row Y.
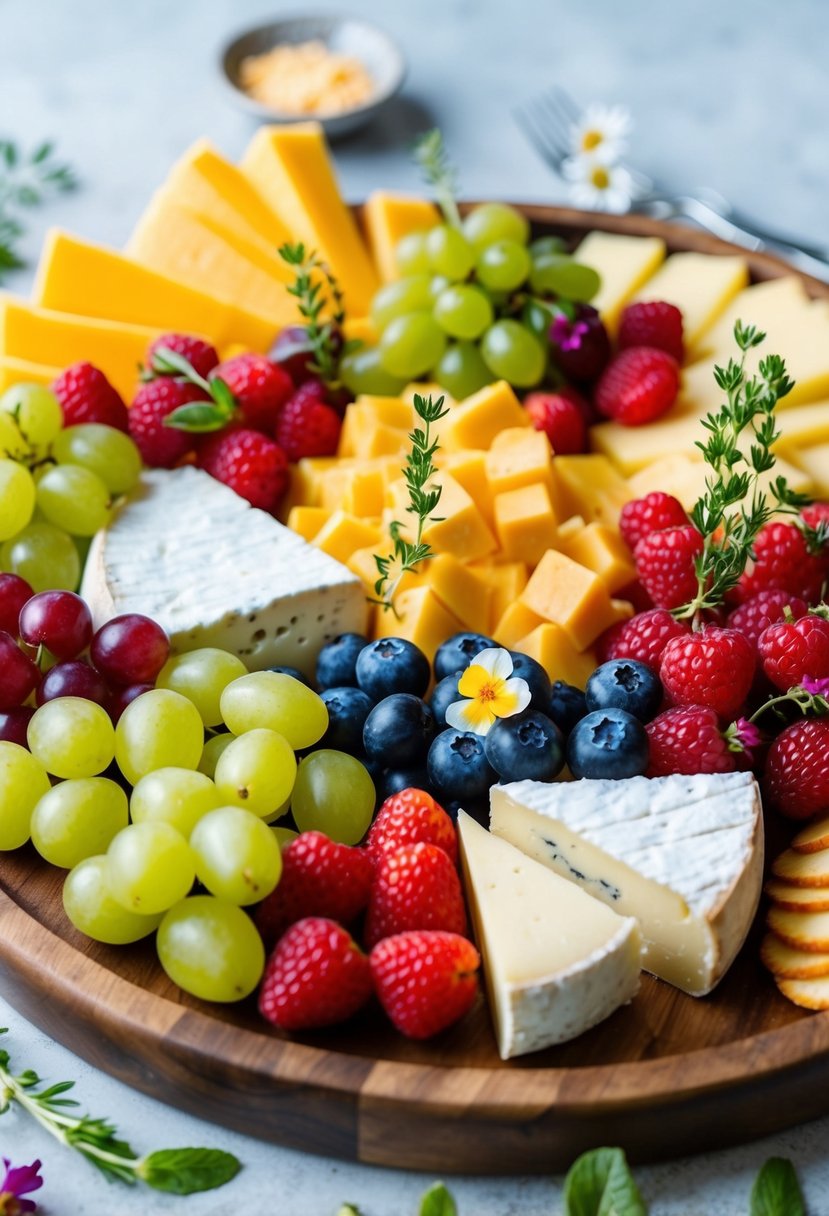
column 556, row 961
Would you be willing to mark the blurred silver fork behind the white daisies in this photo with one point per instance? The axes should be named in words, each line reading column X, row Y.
column 549, row 120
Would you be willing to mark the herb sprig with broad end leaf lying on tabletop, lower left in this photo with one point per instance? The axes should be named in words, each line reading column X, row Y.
column 179, row 1172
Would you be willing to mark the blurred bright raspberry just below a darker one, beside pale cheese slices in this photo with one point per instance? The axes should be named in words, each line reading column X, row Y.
column 639, row 386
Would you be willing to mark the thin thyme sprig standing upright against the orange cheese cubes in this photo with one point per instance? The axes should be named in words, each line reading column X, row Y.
column 424, row 499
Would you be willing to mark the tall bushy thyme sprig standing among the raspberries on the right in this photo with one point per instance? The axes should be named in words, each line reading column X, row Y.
column 734, row 509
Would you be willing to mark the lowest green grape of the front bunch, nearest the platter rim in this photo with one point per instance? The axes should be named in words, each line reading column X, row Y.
column 211, row 949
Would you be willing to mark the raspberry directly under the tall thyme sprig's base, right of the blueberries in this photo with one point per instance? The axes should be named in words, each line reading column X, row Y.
column 714, row 668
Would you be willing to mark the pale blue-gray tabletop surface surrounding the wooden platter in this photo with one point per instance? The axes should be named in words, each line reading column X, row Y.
column 731, row 95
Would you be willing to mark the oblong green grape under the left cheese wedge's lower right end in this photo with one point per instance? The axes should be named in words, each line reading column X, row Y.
column 279, row 702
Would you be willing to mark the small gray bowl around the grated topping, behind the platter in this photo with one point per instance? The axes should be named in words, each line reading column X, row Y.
column 348, row 36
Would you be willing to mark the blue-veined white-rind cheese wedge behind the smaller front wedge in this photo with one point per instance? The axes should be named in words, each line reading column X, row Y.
column 684, row 855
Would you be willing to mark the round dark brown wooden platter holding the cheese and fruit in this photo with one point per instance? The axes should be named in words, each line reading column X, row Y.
column 667, row 1076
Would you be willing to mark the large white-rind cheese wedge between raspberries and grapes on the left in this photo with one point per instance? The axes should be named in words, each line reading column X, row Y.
column 213, row 571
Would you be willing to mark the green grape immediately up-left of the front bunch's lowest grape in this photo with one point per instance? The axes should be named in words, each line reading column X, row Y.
column 150, row 868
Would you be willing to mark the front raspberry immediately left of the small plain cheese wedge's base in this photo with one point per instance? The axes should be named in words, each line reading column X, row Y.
column 425, row 981
